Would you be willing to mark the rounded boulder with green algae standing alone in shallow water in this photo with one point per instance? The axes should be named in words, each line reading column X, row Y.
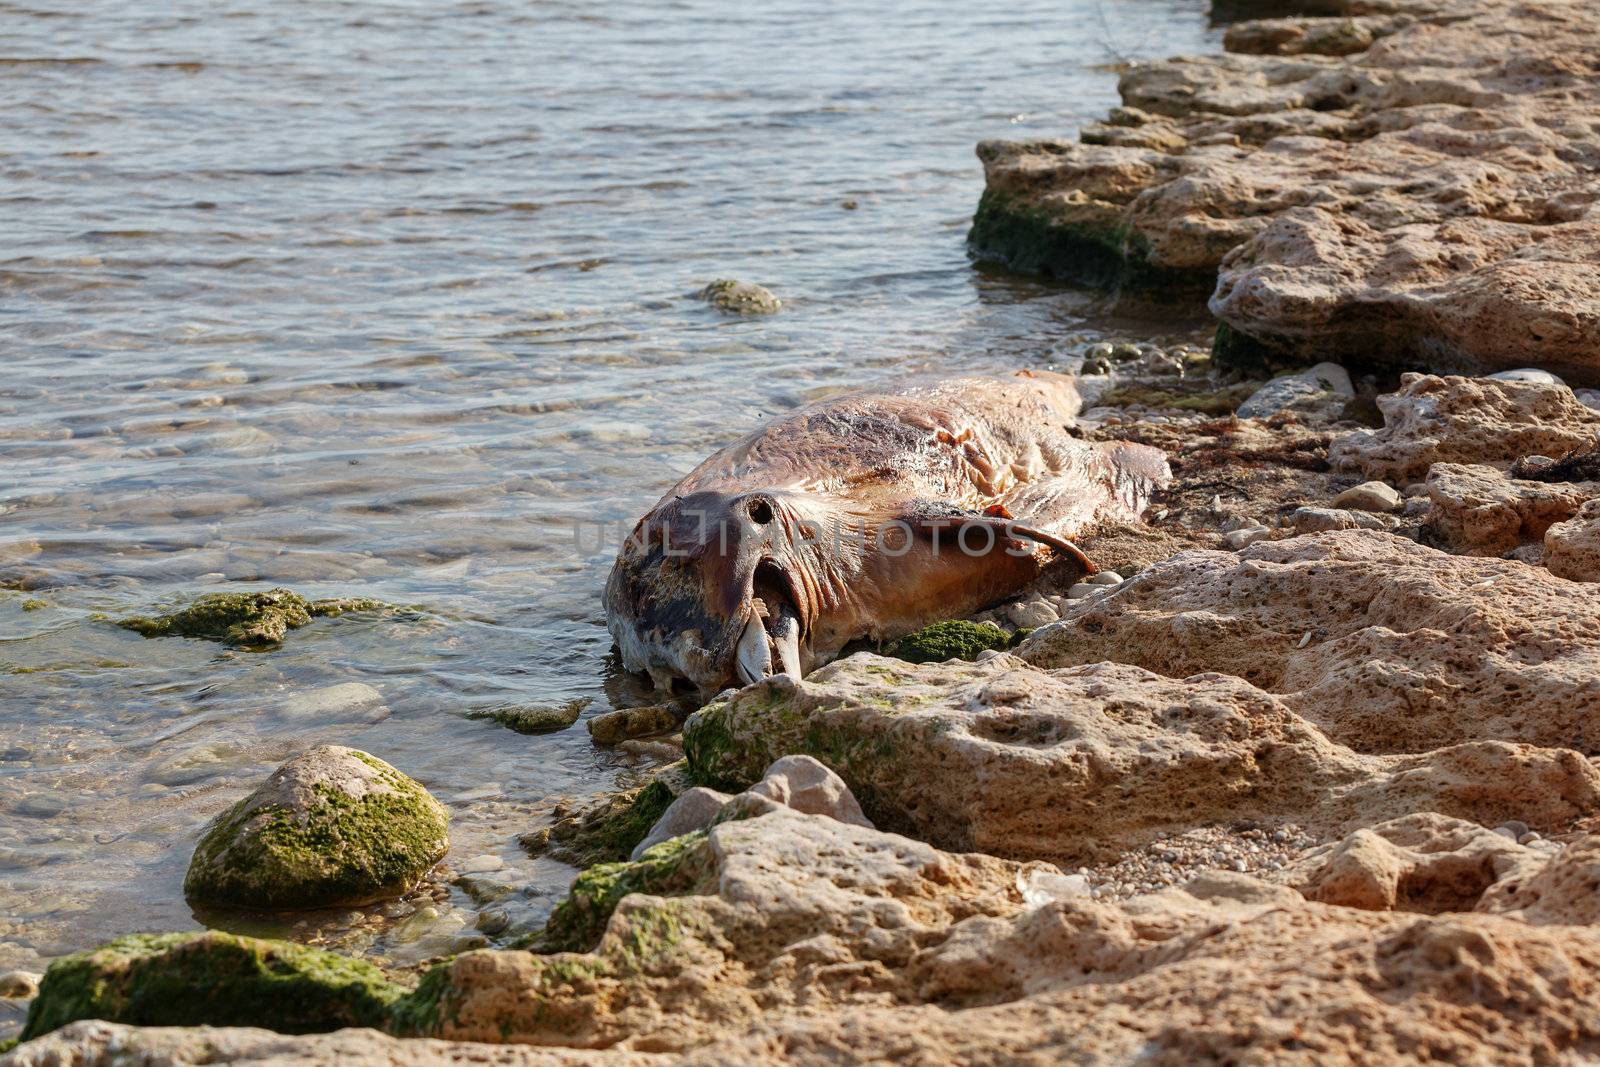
column 330, row 828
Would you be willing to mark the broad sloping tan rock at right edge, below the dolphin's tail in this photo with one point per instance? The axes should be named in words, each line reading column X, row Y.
column 1385, row 644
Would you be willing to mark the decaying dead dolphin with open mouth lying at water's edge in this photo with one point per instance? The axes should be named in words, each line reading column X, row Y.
column 870, row 516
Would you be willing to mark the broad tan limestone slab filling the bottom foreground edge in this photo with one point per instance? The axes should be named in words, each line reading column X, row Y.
column 812, row 941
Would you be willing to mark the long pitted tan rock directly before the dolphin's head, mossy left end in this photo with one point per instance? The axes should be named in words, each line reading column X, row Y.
column 1084, row 764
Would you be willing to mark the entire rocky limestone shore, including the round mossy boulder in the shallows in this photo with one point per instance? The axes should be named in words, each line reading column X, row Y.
column 1308, row 773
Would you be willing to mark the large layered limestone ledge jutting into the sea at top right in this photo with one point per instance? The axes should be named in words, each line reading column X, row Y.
column 1423, row 193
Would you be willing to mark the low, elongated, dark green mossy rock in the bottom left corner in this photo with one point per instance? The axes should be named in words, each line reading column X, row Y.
column 214, row 980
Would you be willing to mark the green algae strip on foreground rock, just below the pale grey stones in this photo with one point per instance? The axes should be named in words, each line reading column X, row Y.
column 681, row 866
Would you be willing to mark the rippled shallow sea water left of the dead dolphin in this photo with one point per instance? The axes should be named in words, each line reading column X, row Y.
column 393, row 300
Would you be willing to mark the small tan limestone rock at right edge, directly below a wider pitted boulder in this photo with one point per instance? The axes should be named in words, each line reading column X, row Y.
column 1481, row 511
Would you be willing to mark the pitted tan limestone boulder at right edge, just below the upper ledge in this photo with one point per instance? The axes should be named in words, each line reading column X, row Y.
column 1466, row 422
